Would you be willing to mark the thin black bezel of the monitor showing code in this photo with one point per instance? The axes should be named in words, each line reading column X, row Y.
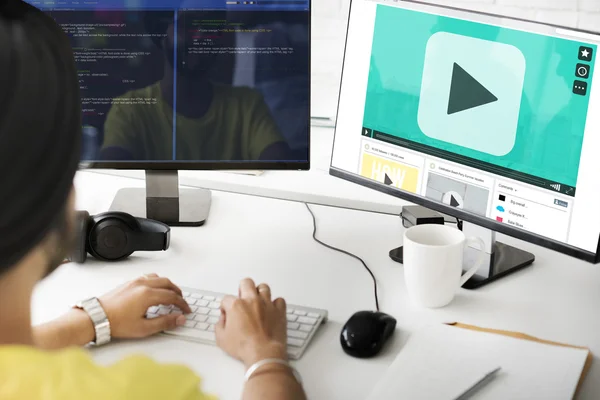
column 214, row 165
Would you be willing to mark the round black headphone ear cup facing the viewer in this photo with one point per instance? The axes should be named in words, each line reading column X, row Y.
column 109, row 238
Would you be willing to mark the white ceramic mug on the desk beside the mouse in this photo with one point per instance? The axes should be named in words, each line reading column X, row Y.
column 433, row 263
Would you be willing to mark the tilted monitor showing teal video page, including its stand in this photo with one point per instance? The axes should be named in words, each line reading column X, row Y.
column 488, row 119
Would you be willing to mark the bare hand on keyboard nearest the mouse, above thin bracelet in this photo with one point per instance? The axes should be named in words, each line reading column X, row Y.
column 252, row 326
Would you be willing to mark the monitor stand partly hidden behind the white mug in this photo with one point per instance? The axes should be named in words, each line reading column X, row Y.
column 501, row 259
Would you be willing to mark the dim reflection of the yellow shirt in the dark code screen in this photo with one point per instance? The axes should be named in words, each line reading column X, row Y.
column 238, row 126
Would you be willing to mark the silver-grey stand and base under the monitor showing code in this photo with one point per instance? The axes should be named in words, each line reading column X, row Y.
column 162, row 200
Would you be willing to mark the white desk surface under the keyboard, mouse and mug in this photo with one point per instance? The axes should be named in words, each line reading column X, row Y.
column 270, row 240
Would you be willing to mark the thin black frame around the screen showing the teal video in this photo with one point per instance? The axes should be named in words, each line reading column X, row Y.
column 485, row 222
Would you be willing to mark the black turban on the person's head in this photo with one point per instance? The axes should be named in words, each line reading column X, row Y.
column 40, row 127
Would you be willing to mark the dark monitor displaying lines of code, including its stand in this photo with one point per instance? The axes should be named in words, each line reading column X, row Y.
column 170, row 85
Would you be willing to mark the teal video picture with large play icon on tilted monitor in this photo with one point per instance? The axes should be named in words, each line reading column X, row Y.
column 498, row 96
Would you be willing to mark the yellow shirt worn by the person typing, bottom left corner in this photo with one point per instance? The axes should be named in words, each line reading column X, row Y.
column 30, row 374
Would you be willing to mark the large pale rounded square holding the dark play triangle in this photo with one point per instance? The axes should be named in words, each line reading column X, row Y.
column 471, row 92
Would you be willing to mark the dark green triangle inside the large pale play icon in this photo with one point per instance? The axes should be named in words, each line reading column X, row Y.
column 466, row 92
